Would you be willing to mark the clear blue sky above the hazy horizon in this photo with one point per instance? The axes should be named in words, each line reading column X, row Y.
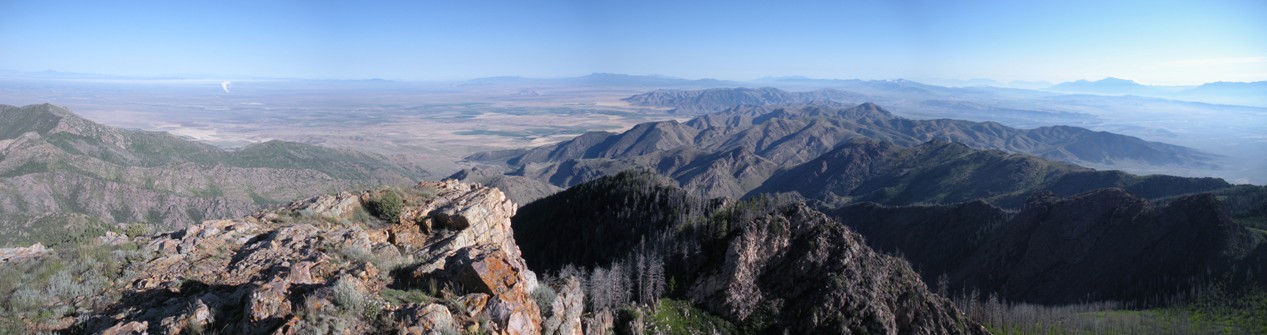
column 1154, row 43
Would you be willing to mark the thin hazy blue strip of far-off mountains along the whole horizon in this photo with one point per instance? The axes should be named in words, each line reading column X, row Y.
column 1217, row 93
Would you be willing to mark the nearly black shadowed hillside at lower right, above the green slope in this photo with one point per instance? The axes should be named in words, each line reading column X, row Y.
column 1103, row 246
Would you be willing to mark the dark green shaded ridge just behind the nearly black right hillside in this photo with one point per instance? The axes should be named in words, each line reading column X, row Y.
column 867, row 171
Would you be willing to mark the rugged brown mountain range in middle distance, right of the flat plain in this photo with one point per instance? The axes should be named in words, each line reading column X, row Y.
column 734, row 153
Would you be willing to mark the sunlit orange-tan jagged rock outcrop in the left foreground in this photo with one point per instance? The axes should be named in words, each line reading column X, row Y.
column 448, row 263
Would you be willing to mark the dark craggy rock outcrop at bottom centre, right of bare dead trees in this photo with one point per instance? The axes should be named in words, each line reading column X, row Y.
column 809, row 275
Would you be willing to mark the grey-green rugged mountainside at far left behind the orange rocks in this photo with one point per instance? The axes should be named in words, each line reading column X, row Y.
column 63, row 176
